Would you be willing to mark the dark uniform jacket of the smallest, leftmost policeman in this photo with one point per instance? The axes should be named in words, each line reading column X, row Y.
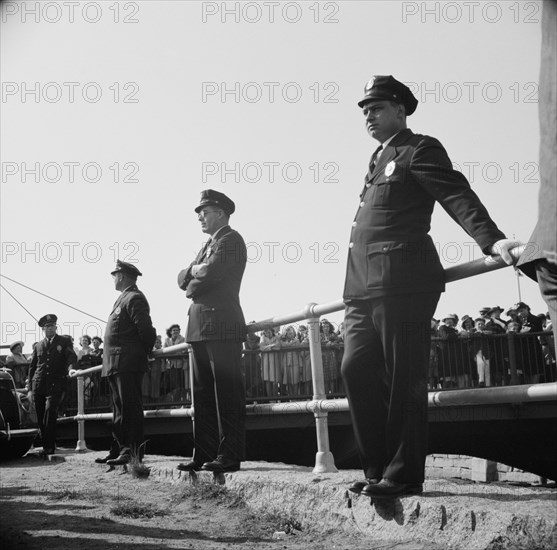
column 50, row 364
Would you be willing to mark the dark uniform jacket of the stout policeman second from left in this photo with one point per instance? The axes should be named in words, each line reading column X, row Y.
column 129, row 335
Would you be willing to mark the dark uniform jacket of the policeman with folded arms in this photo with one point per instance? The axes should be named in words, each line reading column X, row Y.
column 215, row 313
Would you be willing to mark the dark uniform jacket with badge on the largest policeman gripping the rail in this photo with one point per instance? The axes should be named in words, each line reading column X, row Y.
column 390, row 251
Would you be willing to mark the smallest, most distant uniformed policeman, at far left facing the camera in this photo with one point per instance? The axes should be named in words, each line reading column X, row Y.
column 52, row 359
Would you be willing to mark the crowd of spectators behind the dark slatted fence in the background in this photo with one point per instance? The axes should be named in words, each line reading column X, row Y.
column 486, row 350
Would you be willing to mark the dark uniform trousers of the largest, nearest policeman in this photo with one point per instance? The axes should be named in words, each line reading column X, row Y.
column 384, row 368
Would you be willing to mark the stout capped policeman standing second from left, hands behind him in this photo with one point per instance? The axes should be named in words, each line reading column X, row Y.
column 128, row 340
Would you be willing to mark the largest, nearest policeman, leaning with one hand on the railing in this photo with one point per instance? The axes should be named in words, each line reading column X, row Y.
column 393, row 282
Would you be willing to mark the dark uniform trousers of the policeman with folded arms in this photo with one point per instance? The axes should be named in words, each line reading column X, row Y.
column 219, row 401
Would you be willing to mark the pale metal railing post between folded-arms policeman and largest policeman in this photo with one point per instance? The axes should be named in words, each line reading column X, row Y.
column 324, row 460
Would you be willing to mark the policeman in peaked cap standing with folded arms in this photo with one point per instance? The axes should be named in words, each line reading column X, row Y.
column 216, row 330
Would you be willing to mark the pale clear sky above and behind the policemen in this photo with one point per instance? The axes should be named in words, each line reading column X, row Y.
column 116, row 115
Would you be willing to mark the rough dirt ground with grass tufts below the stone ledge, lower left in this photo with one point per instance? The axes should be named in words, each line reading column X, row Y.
column 62, row 505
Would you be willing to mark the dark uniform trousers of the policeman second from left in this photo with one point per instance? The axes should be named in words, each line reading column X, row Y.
column 127, row 410
